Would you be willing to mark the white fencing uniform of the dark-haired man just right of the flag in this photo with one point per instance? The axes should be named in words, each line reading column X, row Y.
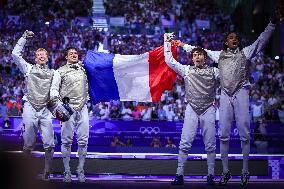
column 200, row 87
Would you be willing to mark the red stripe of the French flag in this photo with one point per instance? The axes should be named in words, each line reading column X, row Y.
column 162, row 77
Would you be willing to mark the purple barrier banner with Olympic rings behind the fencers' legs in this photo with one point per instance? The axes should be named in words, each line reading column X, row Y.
column 141, row 133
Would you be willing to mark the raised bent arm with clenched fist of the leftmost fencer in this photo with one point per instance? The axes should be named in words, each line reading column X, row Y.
column 17, row 53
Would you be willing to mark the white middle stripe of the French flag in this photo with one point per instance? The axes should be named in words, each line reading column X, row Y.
column 131, row 73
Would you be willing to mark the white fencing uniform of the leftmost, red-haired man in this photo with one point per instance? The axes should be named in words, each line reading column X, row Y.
column 36, row 116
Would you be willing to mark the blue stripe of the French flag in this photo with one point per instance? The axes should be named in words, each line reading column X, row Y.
column 102, row 84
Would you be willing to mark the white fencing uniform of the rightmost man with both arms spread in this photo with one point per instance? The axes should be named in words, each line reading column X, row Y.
column 234, row 99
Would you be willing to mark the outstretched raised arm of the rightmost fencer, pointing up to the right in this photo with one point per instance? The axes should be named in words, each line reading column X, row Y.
column 258, row 45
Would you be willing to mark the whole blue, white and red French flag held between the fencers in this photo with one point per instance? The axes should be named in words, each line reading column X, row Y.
column 140, row 78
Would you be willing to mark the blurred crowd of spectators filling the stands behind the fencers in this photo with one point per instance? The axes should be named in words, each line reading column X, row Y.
column 55, row 29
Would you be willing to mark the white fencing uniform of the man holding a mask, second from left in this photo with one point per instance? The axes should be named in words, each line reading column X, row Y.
column 71, row 81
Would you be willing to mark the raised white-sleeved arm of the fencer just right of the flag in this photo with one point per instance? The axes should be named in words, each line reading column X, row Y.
column 169, row 59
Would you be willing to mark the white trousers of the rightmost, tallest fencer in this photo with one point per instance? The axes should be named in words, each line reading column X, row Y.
column 236, row 106
